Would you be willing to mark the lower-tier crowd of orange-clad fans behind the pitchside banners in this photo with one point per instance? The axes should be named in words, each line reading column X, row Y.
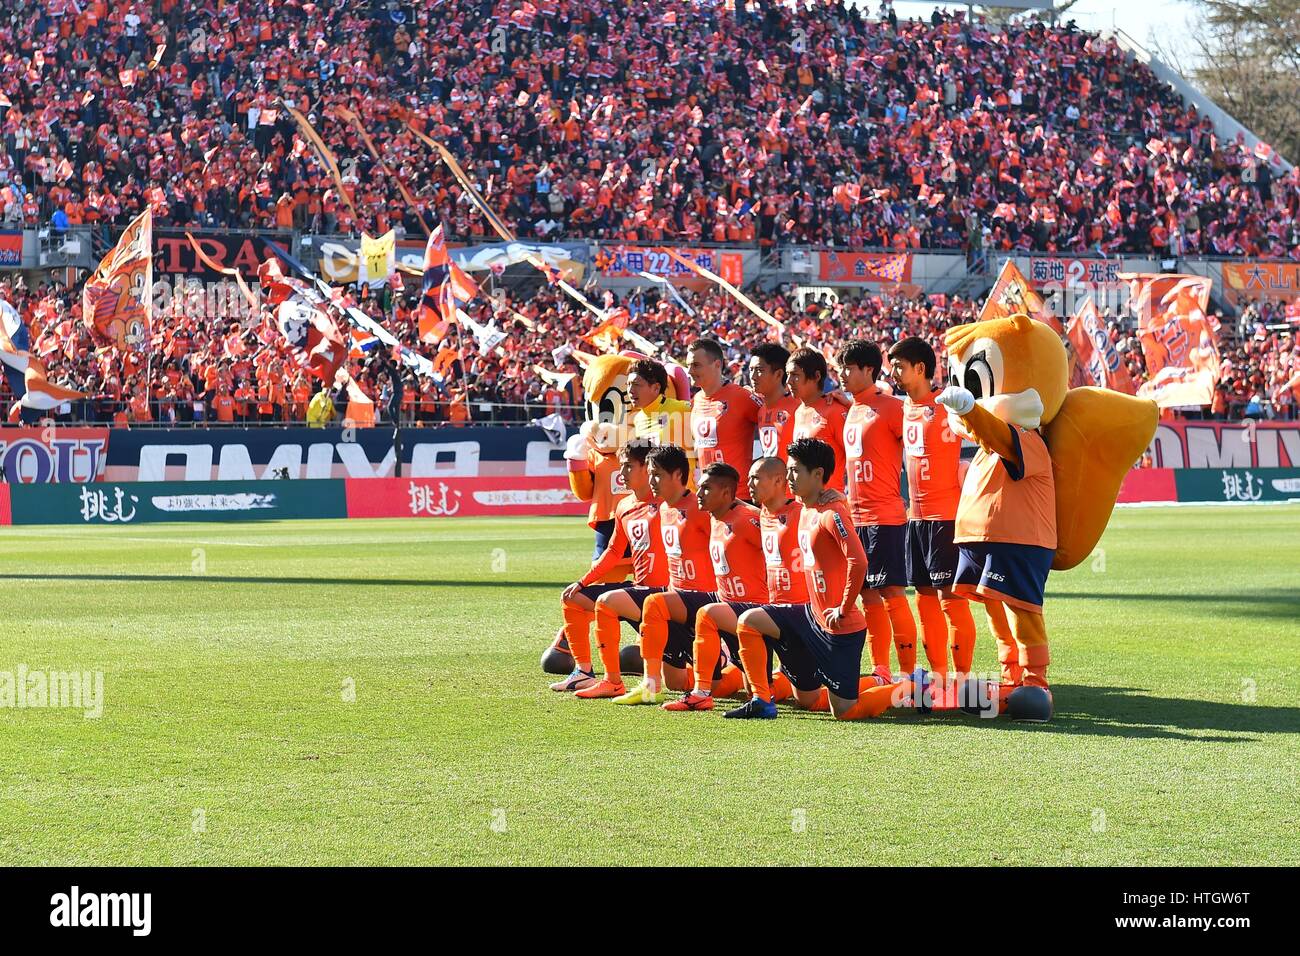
column 232, row 371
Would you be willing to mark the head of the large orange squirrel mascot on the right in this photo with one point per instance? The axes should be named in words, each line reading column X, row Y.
column 1016, row 367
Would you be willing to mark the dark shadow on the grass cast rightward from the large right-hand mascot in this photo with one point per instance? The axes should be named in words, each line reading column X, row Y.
column 1129, row 712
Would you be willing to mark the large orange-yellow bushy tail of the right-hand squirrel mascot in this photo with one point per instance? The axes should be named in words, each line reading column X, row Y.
column 1094, row 440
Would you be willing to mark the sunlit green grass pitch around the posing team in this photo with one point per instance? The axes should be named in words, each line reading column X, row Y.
column 370, row 693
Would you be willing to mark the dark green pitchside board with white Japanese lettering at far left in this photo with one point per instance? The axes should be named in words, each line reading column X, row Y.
column 110, row 503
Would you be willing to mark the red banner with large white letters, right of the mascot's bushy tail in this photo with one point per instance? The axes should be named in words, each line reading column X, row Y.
column 1227, row 445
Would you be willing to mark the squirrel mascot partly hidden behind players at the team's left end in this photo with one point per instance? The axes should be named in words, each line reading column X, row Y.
column 593, row 465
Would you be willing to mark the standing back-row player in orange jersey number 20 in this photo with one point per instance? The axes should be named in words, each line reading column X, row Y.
column 873, row 449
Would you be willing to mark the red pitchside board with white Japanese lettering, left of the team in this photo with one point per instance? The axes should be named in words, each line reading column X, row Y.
column 506, row 498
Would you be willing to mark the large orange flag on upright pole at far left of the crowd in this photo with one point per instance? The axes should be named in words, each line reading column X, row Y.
column 118, row 300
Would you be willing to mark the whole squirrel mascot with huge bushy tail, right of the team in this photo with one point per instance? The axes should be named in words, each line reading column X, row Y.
column 1042, row 487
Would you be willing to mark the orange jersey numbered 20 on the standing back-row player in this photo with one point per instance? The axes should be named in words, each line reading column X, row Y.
column 873, row 455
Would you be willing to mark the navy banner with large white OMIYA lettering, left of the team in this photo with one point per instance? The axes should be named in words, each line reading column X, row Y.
column 248, row 455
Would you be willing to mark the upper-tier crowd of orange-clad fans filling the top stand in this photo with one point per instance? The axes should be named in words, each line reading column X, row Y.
column 623, row 120
